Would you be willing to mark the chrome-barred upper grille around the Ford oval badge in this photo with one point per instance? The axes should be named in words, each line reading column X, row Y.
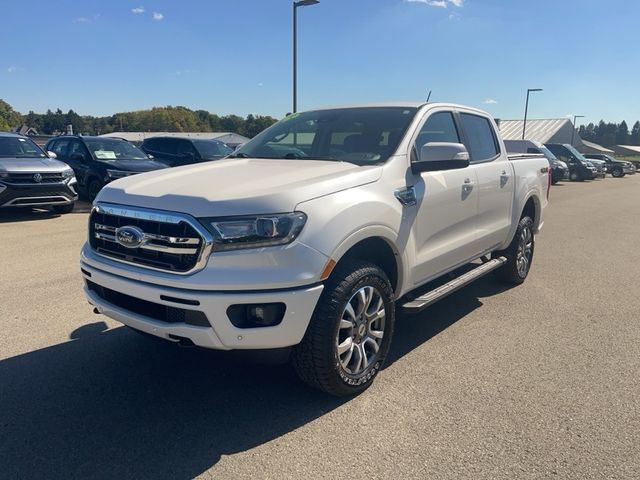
column 170, row 246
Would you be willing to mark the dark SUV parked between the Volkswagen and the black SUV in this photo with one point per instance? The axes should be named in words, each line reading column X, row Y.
column 98, row 160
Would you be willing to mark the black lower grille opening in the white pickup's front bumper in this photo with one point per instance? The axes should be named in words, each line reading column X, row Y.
column 152, row 310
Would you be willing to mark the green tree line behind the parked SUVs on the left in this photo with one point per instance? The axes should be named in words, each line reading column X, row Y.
column 158, row 119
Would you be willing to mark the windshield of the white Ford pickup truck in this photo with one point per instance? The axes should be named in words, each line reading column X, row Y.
column 364, row 136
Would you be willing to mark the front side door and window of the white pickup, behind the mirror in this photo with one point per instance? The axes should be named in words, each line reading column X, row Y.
column 445, row 228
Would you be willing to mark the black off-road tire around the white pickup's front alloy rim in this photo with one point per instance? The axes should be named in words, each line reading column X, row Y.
column 316, row 359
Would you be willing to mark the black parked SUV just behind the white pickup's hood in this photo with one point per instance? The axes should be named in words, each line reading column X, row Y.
column 175, row 151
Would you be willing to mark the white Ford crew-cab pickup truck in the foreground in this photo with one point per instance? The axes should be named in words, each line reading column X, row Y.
column 312, row 234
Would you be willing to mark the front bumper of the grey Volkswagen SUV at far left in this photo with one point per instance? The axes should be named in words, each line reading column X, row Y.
column 37, row 195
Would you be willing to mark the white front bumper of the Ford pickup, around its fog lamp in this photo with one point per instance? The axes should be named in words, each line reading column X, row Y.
column 221, row 334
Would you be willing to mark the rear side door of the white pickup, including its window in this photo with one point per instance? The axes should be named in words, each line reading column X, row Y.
column 495, row 179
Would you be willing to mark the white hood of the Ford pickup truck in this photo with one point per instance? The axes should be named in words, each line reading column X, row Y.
column 237, row 186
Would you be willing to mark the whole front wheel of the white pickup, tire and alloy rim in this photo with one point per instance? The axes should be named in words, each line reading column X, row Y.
column 349, row 335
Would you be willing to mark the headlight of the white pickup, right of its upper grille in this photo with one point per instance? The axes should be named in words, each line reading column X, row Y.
column 235, row 233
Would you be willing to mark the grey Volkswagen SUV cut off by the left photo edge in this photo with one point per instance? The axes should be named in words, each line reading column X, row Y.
column 29, row 178
